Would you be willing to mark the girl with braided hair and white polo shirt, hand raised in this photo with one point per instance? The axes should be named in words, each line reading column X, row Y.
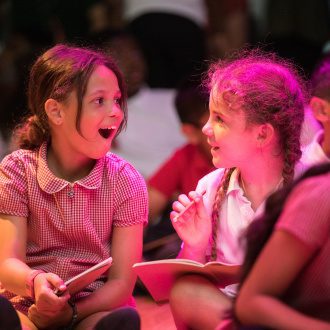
column 256, row 112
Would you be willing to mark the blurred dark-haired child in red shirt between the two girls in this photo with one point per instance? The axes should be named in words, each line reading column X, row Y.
column 180, row 173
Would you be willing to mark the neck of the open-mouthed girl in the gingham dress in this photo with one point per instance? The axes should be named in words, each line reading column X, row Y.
column 66, row 165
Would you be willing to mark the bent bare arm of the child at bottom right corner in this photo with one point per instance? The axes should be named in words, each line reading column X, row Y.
column 283, row 257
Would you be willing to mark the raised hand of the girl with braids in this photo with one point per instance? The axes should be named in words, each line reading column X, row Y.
column 193, row 225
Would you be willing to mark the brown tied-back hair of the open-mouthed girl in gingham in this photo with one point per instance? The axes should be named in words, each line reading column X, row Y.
column 55, row 74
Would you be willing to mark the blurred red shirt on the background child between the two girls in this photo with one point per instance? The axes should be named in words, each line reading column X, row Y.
column 181, row 172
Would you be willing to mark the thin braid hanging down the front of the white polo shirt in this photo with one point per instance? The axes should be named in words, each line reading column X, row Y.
column 219, row 198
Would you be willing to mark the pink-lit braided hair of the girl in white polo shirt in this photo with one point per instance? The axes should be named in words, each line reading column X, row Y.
column 268, row 90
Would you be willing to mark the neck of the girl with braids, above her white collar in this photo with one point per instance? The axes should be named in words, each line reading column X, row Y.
column 261, row 179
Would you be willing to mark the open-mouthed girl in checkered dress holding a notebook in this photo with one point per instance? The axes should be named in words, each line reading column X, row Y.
column 66, row 202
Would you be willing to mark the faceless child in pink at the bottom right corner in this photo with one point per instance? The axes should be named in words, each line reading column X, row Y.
column 285, row 281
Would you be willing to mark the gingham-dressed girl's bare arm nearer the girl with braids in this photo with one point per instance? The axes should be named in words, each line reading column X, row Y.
column 126, row 250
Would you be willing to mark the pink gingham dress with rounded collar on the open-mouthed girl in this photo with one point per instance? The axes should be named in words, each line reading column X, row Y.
column 69, row 225
